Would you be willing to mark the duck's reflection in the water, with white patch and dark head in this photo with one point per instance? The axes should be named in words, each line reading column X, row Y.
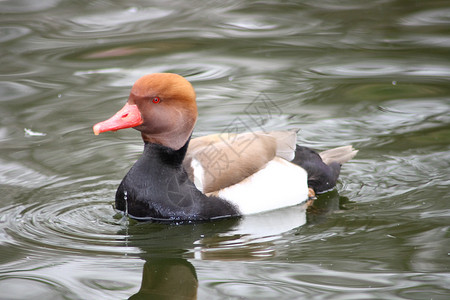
column 167, row 273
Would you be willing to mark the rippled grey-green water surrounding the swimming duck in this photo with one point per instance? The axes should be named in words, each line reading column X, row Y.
column 374, row 74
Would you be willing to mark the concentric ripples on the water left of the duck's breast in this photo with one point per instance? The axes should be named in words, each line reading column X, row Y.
column 77, row 222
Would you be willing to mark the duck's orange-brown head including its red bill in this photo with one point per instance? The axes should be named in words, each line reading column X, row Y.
column 161, row 106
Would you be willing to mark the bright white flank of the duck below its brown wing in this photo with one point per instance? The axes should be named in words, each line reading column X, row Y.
column 279, row 184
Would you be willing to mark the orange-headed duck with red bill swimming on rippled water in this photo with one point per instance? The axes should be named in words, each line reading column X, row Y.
column 179, row 178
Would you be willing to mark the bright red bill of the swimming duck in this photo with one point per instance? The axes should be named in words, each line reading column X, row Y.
column 129, row 116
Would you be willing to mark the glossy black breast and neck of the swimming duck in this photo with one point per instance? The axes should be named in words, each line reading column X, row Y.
column 157, row 187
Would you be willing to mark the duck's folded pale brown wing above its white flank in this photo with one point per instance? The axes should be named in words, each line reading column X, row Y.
column 218, row 161
